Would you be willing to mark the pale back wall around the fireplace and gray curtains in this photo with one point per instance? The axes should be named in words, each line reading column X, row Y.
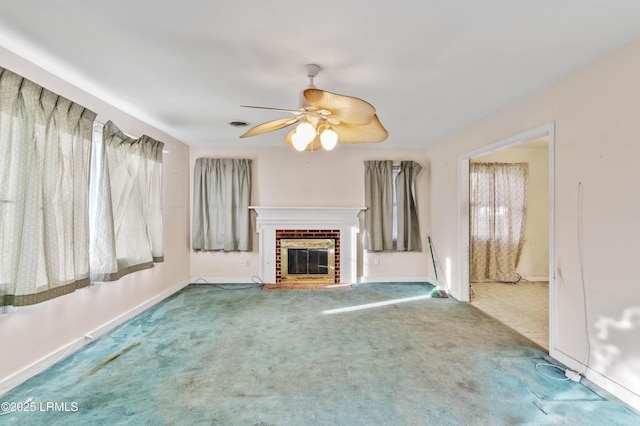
column 283, row 177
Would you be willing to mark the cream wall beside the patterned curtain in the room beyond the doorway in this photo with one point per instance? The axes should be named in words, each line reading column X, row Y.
column 534, row 260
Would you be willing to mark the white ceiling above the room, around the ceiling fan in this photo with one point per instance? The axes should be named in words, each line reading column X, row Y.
column 429, row 67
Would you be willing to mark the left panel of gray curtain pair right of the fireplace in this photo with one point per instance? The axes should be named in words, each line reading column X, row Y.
column 378, row 197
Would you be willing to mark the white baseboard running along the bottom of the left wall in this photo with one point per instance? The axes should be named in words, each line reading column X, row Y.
column 47, row 361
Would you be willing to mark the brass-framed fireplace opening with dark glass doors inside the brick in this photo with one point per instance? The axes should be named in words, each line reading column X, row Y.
column 308, row 260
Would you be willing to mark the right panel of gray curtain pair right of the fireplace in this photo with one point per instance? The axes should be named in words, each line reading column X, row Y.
column 408, row 226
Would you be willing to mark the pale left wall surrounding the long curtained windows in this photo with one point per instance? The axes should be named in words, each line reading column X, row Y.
column 31, row 333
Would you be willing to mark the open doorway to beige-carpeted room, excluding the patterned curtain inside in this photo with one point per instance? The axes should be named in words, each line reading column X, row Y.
column 527, row 304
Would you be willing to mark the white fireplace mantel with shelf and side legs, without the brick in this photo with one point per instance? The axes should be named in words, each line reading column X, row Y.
column 344, row 219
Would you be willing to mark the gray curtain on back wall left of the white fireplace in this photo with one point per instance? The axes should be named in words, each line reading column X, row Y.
column 221, row 197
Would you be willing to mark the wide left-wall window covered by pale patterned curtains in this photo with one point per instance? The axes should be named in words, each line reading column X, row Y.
column 65, row 207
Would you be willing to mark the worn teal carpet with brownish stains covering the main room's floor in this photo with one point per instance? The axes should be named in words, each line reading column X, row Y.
column 378, row 354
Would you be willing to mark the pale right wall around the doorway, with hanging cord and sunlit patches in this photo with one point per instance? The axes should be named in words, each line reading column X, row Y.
column 596, row 114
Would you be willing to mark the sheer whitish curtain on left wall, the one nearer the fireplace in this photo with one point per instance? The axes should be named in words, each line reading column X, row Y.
column 126, row 204
